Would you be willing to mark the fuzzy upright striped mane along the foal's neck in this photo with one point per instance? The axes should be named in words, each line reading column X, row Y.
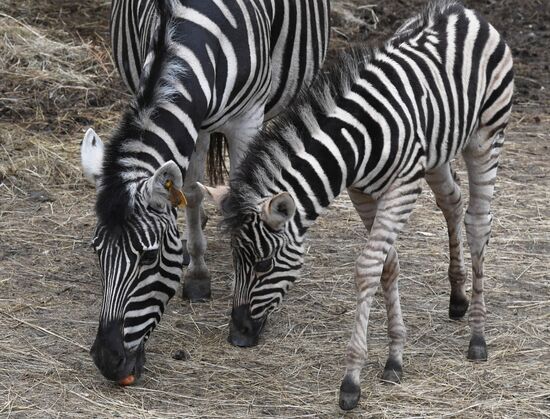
column 254, row 178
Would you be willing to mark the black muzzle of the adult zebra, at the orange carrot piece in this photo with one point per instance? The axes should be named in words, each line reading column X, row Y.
column 113, row 360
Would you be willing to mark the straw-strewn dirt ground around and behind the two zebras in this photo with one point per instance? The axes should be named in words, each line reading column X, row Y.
column 57, row 78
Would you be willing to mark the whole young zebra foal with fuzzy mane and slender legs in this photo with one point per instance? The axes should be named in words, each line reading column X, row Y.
column 441, row 86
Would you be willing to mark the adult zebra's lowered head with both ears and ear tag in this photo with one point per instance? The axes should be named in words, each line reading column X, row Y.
column 140, row 256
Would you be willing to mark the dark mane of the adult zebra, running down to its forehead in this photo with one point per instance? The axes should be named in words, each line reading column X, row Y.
column 115, row 198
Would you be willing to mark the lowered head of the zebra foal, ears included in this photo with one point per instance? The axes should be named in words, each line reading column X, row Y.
column 267, row 257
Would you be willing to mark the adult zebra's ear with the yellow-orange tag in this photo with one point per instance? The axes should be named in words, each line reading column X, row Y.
column 165, row 187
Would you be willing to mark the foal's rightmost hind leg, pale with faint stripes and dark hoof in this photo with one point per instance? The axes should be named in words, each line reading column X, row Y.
column 481, row 157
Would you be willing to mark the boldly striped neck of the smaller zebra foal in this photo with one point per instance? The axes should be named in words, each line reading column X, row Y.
column 313, row 157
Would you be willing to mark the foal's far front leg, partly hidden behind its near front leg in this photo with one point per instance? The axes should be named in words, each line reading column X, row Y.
column 393, row 371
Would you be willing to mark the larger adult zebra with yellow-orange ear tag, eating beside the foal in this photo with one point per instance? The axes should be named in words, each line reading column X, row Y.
column 210, row 66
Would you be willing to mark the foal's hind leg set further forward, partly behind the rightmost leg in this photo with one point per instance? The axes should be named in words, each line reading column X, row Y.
column 449, row 200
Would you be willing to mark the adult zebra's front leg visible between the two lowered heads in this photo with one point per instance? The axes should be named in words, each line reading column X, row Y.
column 196, row 281
